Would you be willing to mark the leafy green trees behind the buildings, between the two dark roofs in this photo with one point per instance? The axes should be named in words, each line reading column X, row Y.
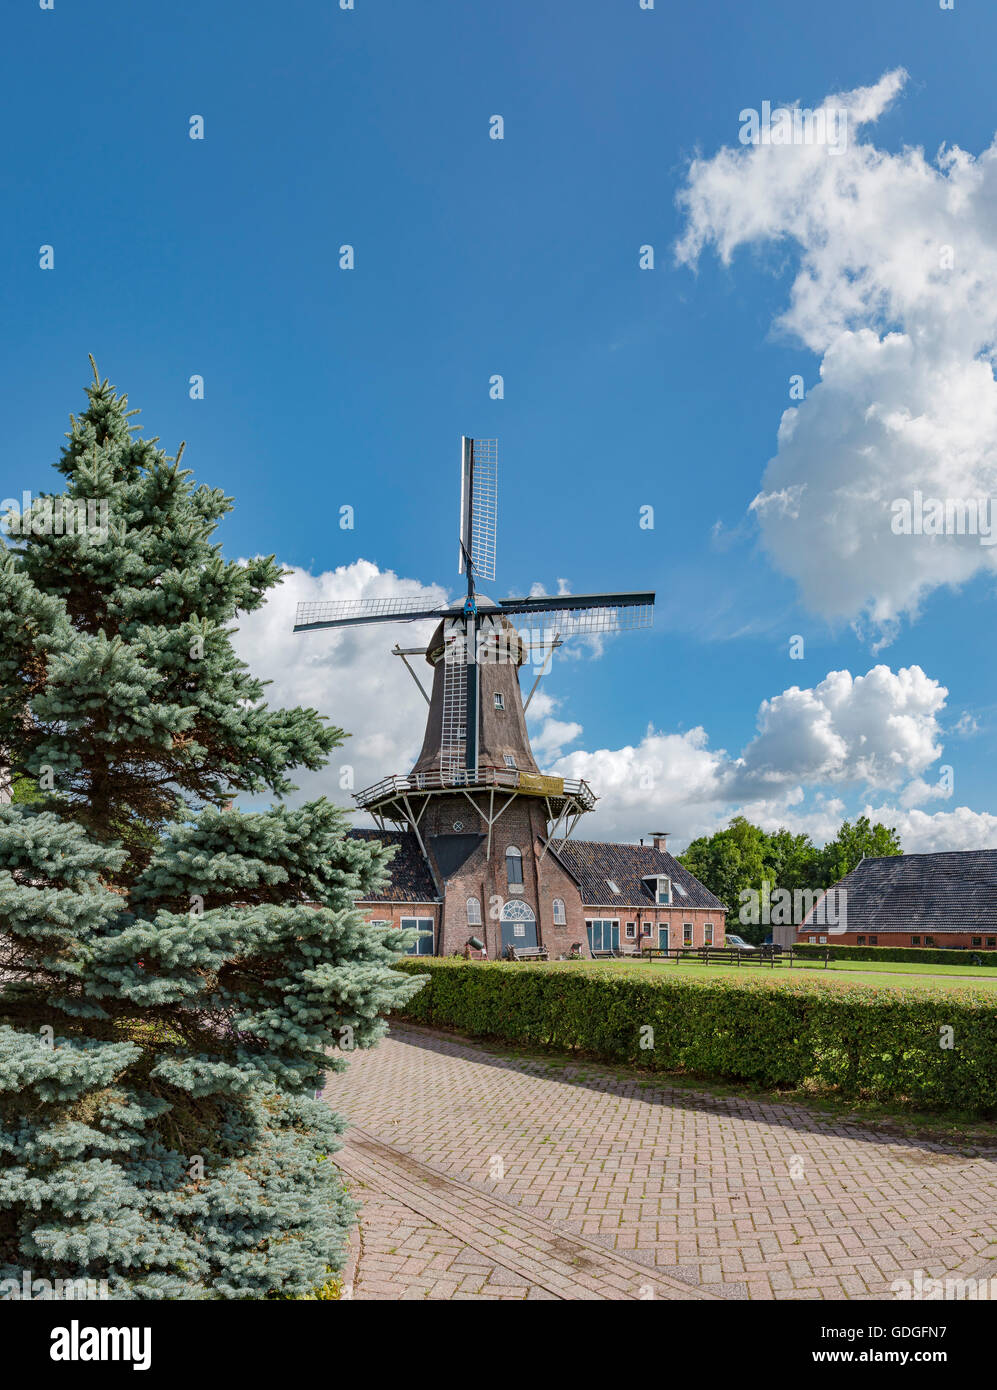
column 745, row 857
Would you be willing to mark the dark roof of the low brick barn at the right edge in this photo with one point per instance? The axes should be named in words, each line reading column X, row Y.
column 955, row 892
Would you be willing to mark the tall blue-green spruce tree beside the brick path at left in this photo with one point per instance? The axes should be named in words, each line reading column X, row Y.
column 176, row 976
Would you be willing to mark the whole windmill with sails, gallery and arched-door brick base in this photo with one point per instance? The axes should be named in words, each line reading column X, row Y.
column 483, row 814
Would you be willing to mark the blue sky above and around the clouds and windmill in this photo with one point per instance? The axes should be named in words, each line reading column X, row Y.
column 478, row 258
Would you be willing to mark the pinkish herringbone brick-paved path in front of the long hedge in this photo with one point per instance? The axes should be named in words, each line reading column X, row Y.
column 490, row 1177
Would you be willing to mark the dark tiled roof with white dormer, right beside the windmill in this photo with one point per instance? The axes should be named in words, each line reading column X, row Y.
column 594, row 864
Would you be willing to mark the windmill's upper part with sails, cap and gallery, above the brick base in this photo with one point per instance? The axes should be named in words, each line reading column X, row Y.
column 469, row 749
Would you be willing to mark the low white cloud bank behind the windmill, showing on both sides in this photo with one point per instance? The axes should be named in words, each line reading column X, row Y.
column 875, row 736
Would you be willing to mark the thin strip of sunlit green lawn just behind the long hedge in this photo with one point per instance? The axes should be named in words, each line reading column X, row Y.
column 900, row 975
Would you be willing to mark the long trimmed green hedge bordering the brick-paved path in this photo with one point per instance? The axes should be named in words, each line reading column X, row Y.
column 857, row 1040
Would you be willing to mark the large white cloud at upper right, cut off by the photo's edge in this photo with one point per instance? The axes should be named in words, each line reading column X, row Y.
column 896, row 293
